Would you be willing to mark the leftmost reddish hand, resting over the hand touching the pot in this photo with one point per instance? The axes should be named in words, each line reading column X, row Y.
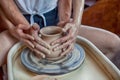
column 21, row 32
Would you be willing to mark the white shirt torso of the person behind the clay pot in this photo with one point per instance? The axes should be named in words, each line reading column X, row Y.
column 36, row 6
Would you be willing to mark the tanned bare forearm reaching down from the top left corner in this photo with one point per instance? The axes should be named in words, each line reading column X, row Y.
column 12, row 12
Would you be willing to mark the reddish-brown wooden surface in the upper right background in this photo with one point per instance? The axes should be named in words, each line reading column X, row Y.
column 103, row 14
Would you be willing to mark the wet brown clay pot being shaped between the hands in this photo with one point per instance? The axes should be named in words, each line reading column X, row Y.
column 50, row 34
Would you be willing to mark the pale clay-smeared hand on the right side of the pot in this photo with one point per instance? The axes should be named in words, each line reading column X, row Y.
column 68, row 40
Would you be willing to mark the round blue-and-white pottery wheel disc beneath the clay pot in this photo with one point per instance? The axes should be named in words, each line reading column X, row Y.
column 65, row 65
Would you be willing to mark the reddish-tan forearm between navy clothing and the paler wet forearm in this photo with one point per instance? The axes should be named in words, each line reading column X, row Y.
column 64, row 9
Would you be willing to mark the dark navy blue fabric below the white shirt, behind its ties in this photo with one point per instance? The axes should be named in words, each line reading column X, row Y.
column 51, row 18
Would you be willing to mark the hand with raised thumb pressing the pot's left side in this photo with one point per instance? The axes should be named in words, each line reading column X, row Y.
column 41, row 47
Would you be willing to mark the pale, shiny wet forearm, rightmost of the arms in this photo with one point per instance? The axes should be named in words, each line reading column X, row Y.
column 78, row 6
